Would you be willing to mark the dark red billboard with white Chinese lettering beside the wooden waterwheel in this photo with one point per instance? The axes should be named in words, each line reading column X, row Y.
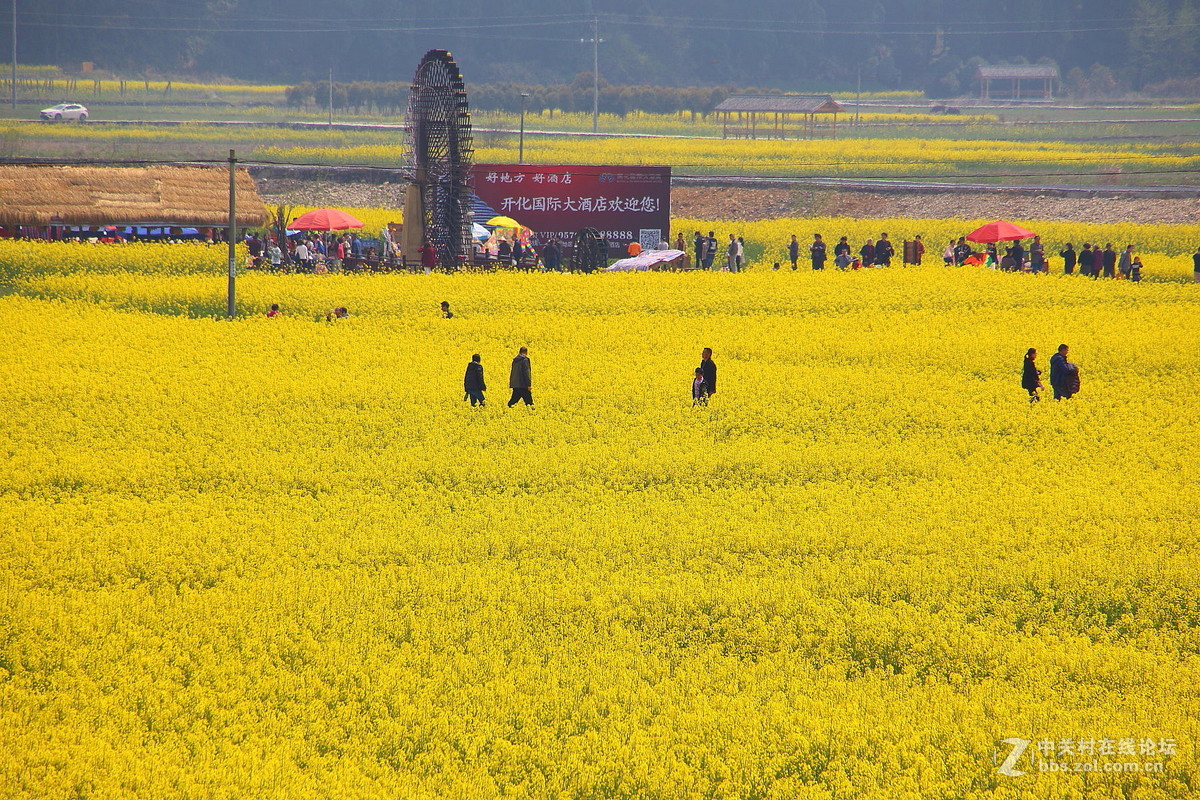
column 556, row 202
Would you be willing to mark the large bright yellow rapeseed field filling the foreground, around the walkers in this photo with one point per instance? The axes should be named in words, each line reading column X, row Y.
column 281, row 558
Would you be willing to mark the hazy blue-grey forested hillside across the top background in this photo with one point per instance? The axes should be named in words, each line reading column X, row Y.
column 789, row 45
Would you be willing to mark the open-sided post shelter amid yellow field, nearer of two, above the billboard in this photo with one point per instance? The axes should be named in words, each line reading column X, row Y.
column 777, row 117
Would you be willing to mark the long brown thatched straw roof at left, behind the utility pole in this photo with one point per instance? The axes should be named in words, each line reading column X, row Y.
column 131, row 196
